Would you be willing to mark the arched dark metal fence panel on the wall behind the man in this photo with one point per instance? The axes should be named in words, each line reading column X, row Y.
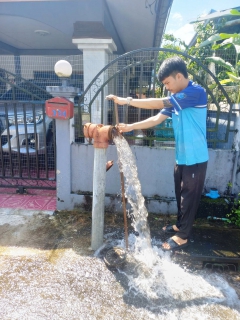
column 135, row 74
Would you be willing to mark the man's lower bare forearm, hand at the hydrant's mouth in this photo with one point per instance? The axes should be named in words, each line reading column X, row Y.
column 145, row 124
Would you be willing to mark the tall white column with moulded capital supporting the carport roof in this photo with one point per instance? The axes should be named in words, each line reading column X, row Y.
column 95, row 58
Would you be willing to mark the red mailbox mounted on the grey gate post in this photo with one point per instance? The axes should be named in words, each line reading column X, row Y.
column 59, row 108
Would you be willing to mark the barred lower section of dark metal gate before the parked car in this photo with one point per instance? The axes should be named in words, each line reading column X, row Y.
column 27, row 151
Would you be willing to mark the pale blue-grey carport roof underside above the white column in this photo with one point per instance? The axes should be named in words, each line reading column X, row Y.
column 48, row 27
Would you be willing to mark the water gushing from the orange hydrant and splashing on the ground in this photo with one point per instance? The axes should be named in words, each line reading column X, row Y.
column 151, row 274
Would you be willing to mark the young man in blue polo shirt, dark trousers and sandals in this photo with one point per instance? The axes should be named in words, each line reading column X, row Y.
column 187, row 106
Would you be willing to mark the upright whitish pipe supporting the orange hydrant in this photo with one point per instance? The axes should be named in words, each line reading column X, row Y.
column 99, row 184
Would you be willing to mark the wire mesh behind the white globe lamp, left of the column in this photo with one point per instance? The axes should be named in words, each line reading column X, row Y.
column 25, row 78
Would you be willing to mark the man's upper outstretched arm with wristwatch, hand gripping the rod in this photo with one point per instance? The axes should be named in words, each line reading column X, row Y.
column 150, row 103
